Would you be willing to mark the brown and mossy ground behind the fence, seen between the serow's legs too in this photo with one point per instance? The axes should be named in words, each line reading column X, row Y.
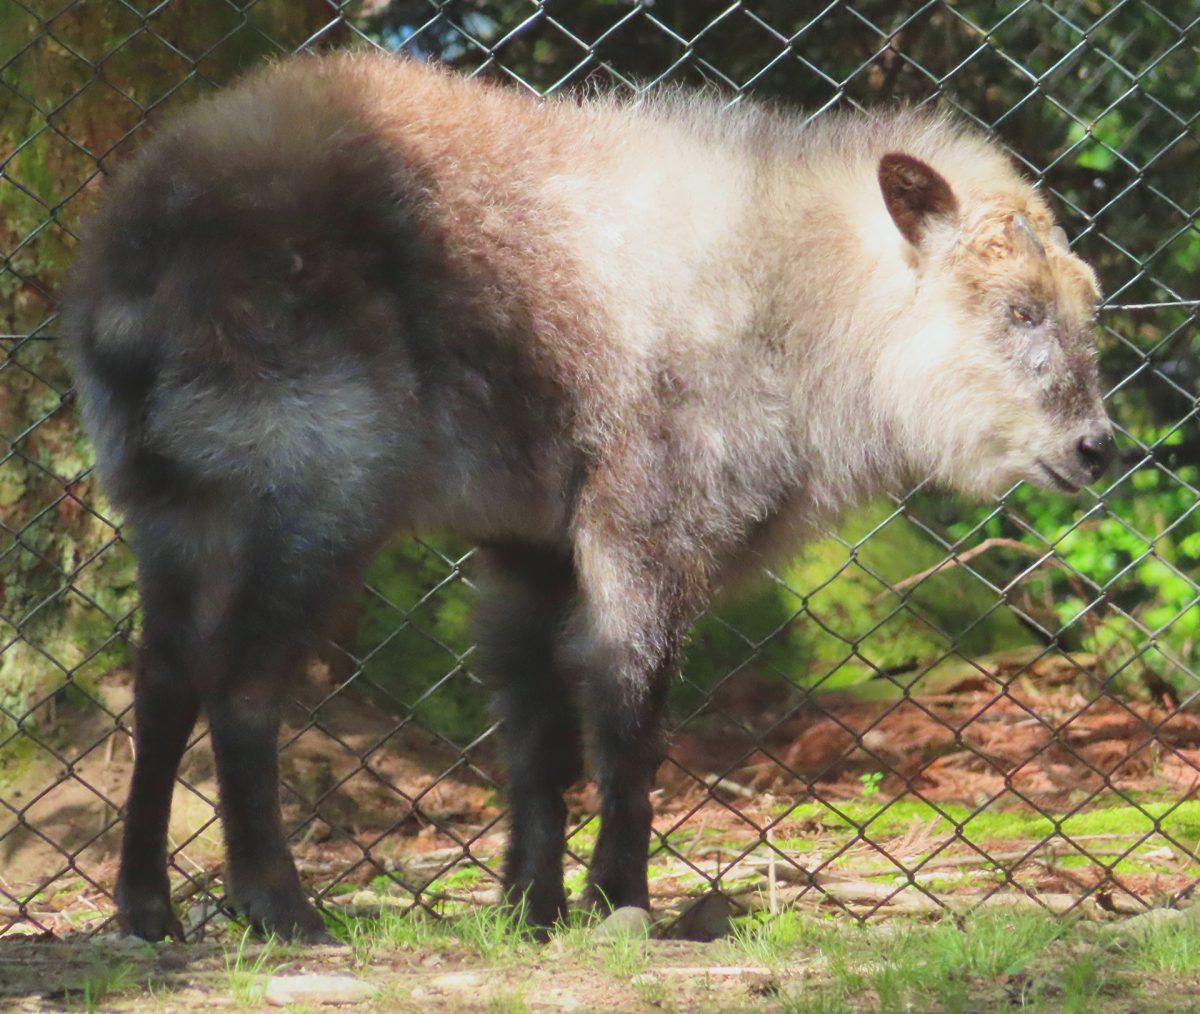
column 832, row 803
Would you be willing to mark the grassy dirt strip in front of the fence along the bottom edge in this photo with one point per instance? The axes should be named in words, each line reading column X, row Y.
column 1077, row 969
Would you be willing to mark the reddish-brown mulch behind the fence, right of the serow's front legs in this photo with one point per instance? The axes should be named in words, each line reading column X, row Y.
column 1033, row 734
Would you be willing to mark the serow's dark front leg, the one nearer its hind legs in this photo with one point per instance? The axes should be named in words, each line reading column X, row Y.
column 525, row 598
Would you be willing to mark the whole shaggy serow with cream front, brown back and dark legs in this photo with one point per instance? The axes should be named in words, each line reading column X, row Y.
column 628, row 349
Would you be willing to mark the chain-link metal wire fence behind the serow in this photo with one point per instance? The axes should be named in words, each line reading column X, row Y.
column 941, row 706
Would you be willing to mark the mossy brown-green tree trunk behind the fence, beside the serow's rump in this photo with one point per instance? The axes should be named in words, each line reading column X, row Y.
column 67, row 583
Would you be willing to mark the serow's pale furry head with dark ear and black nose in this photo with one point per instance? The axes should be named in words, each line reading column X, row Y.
column 998, row 380
